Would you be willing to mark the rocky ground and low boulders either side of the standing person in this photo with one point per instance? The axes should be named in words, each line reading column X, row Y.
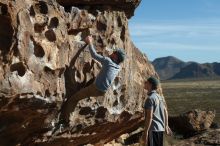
column 195, row 129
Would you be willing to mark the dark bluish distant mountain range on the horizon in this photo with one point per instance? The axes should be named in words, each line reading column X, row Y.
column 173, row 68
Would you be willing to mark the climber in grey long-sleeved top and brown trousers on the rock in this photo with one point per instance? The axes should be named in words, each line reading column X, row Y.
column 110, row 69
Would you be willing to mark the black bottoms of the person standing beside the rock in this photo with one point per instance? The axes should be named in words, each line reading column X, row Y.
column 155, row 138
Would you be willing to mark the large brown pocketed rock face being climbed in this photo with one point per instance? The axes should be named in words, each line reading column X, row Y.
column 42, row 62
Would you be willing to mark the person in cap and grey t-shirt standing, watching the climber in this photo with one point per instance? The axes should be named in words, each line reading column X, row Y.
column 156, row 115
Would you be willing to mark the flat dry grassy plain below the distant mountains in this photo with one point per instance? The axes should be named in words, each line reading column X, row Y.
column 184, row 95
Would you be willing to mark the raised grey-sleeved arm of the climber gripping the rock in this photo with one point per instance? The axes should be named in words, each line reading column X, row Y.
column 92, row 50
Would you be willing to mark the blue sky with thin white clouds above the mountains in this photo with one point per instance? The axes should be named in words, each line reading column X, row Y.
column 186, row 29
